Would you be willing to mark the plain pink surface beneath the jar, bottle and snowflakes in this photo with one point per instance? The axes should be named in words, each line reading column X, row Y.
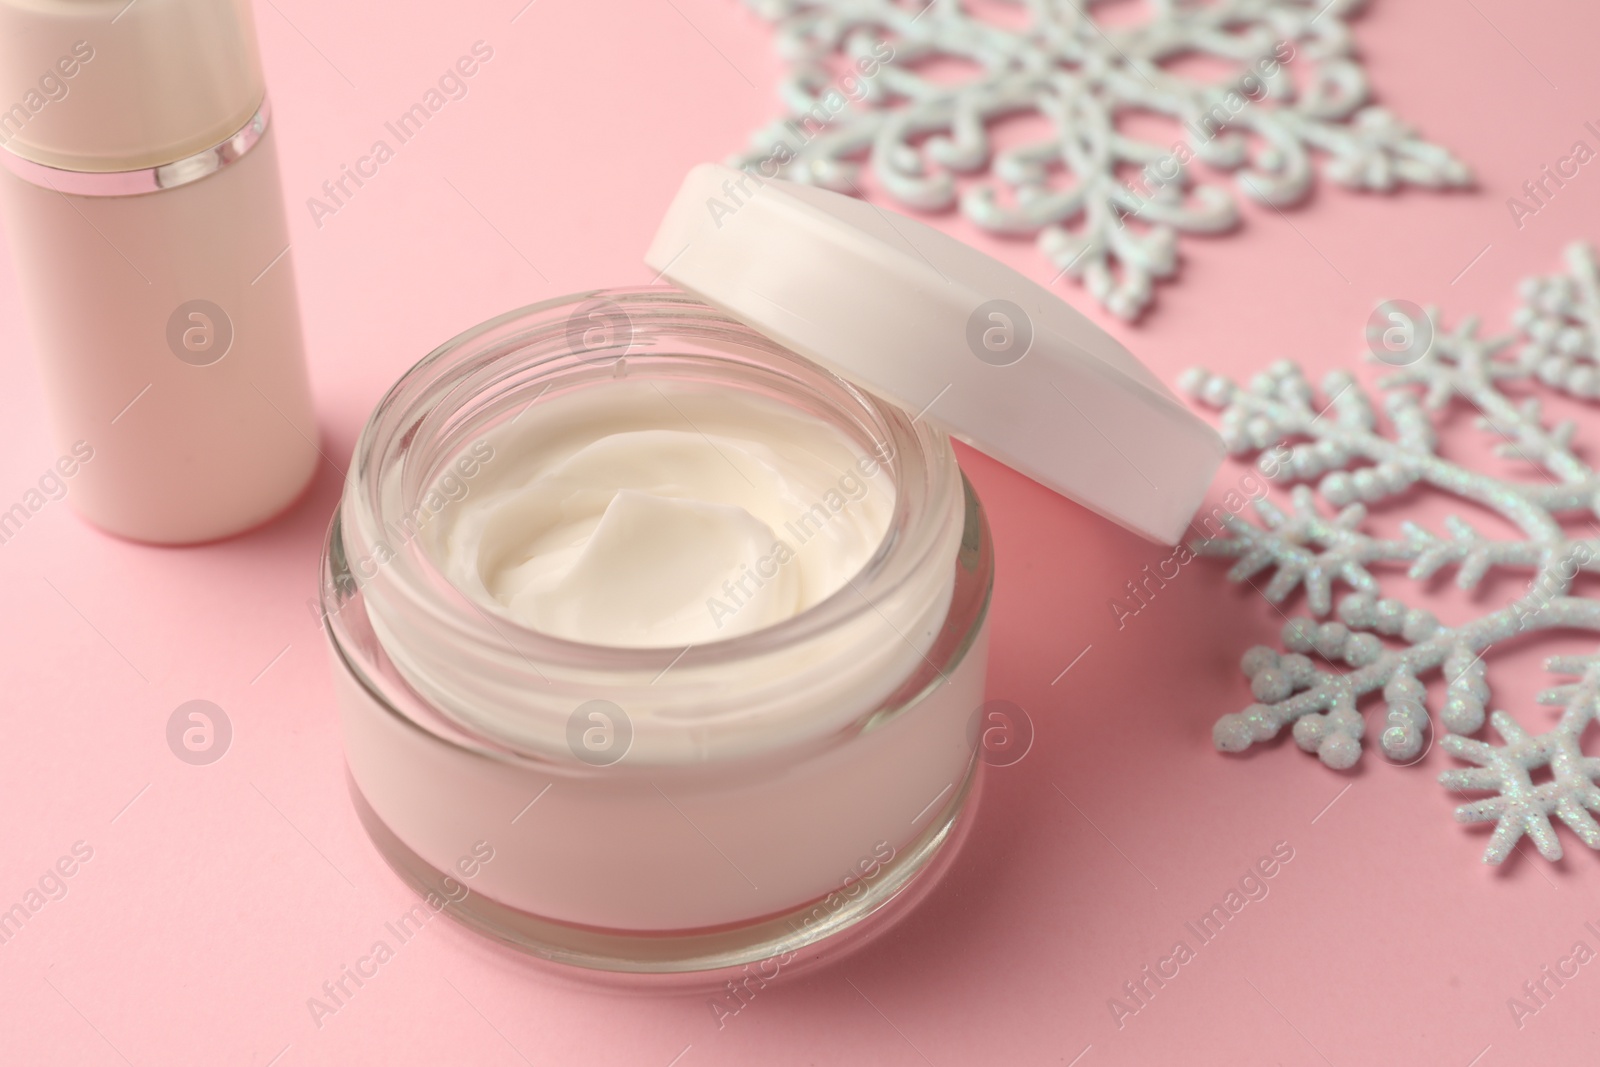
column 223, row 897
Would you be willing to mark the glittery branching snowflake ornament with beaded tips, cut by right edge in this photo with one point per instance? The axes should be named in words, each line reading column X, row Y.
column 1338, row 446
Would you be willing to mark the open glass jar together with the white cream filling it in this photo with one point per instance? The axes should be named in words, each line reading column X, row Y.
column 692, row 637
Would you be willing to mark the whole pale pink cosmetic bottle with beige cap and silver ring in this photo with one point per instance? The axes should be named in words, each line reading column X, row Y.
column 140, row 196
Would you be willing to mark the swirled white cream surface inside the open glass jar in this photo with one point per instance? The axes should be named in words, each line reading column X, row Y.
column 665, row 514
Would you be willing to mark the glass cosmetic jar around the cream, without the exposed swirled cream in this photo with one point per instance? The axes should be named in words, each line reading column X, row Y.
column 654, row 810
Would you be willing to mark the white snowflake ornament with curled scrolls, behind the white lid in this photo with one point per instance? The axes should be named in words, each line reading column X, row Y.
column 1297, row 90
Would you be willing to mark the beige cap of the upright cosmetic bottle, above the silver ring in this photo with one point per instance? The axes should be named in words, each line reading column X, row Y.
column 108, row 86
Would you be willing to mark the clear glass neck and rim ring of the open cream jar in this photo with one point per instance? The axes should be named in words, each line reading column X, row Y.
column 470, row 674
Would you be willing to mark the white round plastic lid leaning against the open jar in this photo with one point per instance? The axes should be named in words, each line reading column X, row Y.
column 943, row 330
